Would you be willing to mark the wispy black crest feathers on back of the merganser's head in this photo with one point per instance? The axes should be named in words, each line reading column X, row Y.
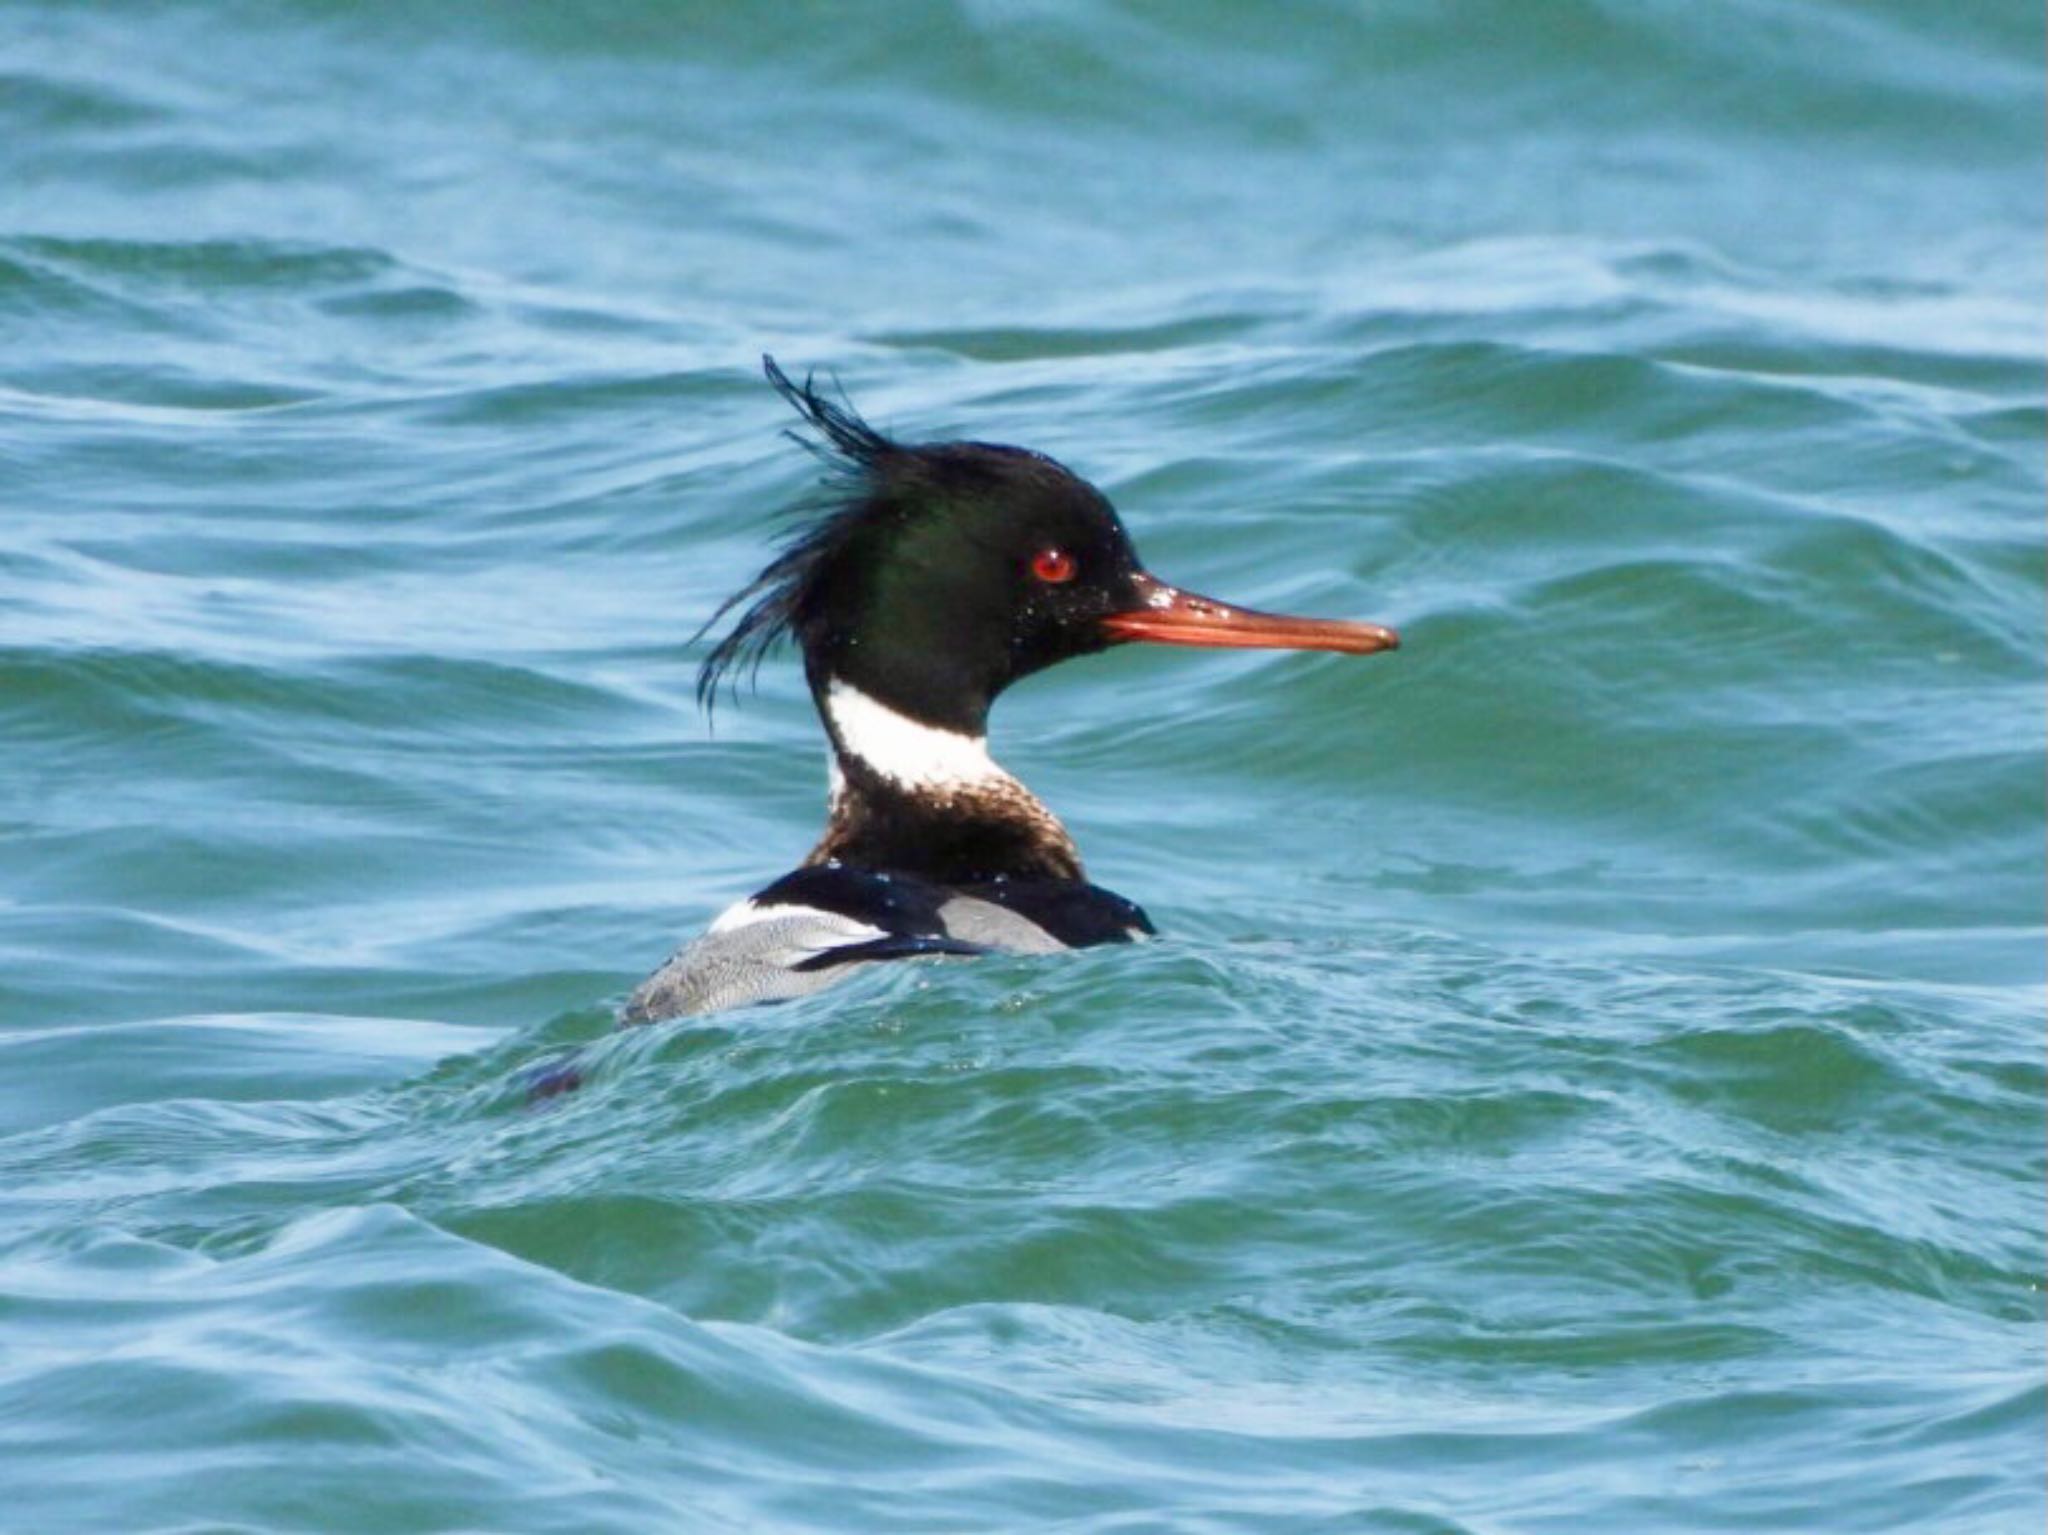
column 855, row 453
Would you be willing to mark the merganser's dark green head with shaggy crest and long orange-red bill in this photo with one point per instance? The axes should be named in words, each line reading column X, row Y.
column 939, row 574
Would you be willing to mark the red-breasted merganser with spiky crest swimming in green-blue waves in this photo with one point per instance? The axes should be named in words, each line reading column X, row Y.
column 935, row 578
